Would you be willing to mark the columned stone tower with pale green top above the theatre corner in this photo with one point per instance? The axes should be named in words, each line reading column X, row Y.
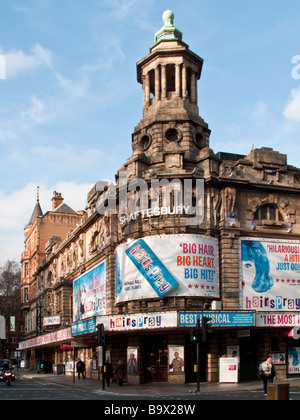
column 171, row 134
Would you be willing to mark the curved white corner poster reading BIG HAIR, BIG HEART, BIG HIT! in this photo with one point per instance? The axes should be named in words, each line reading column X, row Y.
column 167, row 265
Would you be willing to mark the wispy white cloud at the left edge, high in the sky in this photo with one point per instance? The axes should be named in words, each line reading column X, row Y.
column 18, row 62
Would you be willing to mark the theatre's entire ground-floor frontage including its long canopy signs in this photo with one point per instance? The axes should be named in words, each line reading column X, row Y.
column 157, row 346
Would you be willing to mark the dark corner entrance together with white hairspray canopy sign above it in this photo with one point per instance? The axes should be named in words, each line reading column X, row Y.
column 146, row 338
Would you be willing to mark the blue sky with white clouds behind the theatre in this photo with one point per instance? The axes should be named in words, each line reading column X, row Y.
column 69, row 96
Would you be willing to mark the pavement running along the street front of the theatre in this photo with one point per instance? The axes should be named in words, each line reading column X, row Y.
column 148, row 389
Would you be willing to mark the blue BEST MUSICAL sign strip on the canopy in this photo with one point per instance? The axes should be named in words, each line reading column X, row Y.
column 218, row 319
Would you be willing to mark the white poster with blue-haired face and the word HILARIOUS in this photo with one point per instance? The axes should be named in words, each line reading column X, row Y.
column 269, row 274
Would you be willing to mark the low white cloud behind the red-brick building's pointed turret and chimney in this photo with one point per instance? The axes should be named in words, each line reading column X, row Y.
column 16, row 209
